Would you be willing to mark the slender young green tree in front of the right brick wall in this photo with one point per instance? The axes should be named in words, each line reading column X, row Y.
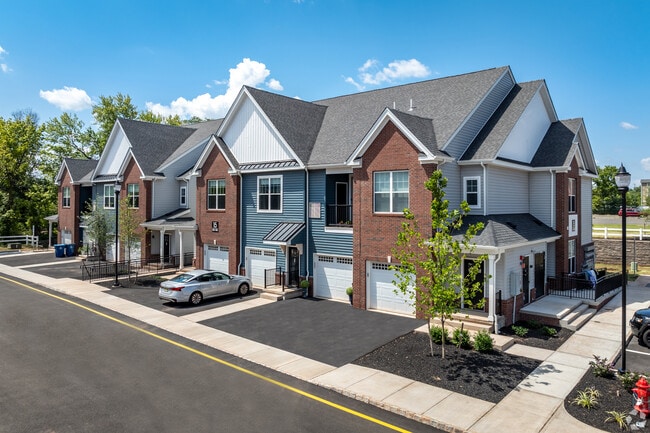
column 430, row 259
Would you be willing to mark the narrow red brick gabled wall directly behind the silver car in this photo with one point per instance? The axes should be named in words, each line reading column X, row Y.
column 215, row 168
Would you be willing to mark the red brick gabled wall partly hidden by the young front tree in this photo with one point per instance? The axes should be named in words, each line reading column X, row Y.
column 375, row 234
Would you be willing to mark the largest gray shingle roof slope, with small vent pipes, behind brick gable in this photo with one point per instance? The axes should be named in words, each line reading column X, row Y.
column 445, row 101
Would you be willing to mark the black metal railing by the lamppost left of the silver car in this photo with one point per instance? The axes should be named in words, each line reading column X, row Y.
column 95, row 269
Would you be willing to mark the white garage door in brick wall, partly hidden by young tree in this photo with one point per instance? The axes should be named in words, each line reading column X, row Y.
column 381, row 290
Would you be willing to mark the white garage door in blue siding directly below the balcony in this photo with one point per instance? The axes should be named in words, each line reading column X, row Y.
column 332, row 275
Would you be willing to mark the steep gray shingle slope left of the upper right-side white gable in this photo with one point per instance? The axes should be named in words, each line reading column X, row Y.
column 487, row 144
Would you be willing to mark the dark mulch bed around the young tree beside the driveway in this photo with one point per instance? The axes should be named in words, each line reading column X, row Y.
column 487, row 376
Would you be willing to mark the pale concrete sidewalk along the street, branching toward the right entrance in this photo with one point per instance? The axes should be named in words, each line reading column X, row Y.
column 536, row 405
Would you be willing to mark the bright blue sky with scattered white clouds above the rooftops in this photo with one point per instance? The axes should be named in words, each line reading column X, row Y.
column 191, row 57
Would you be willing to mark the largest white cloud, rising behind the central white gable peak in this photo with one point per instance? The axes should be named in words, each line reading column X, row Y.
column 248, row 72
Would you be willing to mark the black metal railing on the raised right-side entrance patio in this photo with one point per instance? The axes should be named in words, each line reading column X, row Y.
column 577, row 286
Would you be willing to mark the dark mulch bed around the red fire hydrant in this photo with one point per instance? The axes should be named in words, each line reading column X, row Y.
column 613, row 397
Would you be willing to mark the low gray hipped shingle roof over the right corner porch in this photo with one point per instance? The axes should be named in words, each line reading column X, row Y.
column 507, row 230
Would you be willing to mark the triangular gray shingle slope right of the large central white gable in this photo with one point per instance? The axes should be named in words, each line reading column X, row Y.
column 297, row 121
